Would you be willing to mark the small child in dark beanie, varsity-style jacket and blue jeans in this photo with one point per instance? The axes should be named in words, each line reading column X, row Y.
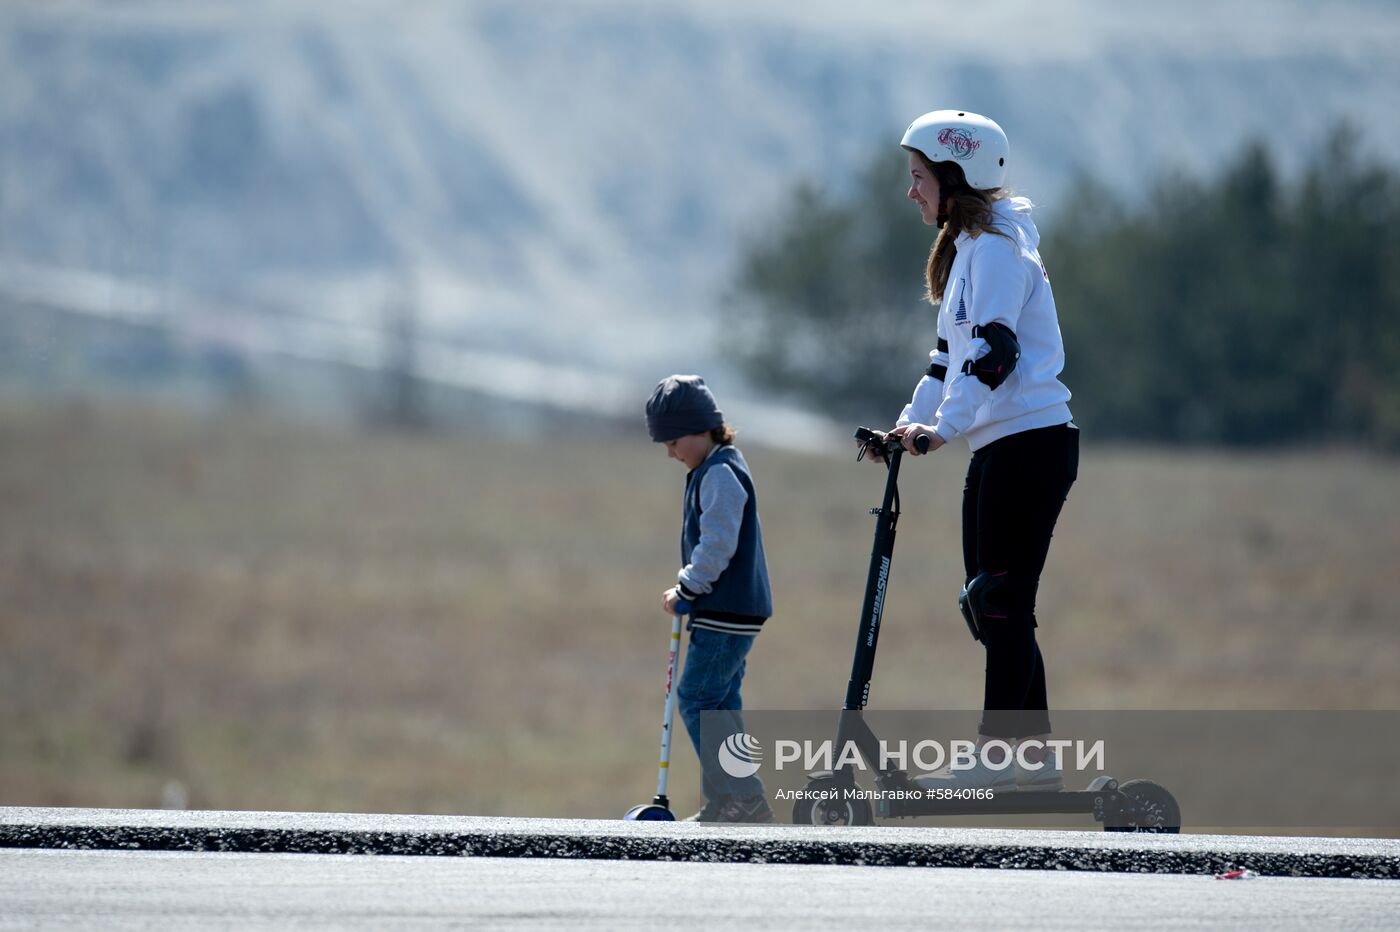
column 723, row 576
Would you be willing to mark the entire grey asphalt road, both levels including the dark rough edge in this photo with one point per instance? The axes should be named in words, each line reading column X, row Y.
column 103, row 868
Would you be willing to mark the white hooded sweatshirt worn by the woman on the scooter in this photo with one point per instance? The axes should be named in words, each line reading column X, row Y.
column 996, row 279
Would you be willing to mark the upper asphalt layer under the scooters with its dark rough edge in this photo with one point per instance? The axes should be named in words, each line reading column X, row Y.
column 617, row 840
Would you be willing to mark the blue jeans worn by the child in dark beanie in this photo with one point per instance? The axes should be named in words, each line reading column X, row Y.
column 710, row 684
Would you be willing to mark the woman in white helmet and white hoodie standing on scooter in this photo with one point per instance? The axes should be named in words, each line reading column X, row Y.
column 995, row 381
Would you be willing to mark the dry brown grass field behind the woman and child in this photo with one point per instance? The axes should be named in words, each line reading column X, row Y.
column 260, row 615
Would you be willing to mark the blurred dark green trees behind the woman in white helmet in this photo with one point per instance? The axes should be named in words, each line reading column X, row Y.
column 1238, row 310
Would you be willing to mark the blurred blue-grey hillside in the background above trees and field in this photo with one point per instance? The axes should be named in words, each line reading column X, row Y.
column 566, row 185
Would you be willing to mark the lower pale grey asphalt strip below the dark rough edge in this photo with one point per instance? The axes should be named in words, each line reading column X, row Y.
column 143, row 889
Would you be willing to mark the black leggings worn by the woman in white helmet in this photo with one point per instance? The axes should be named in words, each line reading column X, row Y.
column 1014, row 493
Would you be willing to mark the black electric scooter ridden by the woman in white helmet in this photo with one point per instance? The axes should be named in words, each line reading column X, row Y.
column 832, row 798
